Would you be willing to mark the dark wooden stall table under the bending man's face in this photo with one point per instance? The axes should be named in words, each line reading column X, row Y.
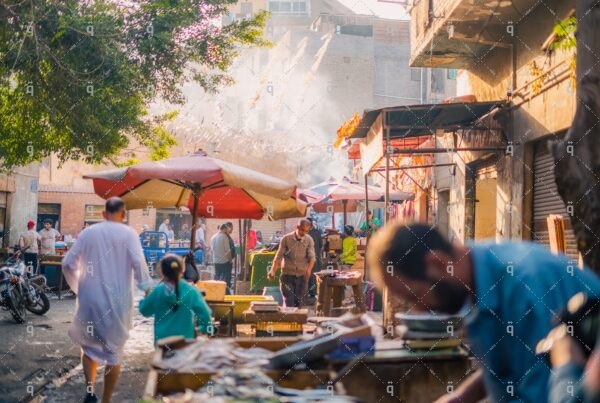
column 394, row 373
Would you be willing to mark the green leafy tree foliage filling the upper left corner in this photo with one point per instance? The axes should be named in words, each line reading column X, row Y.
column 76, row 75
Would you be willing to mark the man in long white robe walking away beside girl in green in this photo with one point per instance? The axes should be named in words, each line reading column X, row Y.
column 101, row 269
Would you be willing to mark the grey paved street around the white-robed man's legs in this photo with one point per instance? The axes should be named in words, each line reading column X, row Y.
column 38, row 361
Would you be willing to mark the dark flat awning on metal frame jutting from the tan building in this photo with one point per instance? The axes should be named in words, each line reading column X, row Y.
column 419, row 120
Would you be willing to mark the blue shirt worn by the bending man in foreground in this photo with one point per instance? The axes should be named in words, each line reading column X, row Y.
column 519, row 289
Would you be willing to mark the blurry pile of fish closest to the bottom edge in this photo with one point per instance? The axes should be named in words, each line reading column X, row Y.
column 250, row 385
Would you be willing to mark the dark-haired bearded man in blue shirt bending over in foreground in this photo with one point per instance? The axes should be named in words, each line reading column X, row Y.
column 511, row 291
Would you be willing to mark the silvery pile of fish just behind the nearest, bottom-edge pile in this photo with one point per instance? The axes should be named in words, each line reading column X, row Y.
column 219, row 354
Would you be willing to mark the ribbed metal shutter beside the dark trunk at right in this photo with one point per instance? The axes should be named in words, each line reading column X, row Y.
column 546, row 200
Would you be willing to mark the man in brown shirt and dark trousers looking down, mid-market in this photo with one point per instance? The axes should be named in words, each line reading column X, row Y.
column 296, row 256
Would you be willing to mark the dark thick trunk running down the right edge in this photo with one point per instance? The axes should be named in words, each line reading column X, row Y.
column 576, row 157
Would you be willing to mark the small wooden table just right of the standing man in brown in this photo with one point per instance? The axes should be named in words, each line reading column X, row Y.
column 332, row 288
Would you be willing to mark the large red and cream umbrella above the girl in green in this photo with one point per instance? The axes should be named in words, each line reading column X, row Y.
column 209, row 187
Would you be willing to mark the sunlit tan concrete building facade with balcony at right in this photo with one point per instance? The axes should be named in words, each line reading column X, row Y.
column 505, row 56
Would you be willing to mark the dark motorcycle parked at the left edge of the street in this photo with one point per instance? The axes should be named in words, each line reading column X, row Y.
column 19, row 291
